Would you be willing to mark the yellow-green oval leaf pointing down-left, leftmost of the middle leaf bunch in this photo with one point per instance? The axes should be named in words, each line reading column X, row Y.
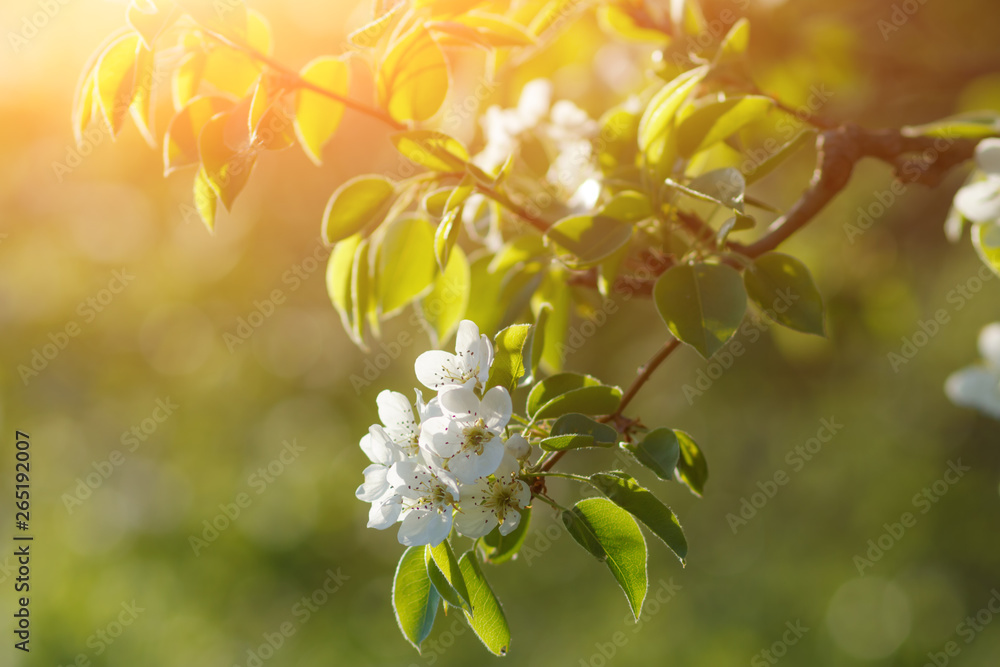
column 355, row 205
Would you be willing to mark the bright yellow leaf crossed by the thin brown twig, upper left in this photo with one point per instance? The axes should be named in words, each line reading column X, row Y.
column 317, row 116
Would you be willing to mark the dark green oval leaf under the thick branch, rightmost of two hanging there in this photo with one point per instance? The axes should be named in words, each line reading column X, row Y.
column 783, row 289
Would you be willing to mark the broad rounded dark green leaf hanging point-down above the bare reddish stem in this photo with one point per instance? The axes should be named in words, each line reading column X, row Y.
column 702, row 304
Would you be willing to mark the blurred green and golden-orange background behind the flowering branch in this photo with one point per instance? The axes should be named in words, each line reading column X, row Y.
column 63, row 235
